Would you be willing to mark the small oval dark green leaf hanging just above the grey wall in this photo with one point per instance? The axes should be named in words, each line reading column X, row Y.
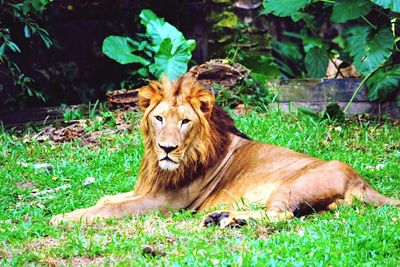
column 316, row 61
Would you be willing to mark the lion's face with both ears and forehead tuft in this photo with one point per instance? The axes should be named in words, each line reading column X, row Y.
column 174, row 121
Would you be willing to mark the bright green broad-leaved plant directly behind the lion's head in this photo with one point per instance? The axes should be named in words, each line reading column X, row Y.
column 163, row 51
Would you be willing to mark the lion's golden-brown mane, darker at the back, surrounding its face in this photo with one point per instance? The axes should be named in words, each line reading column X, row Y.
column 209, row 147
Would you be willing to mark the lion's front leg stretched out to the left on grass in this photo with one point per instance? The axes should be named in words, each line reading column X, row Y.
column 115, row 209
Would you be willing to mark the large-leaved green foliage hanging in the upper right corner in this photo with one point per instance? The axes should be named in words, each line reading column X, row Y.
column 369, row 42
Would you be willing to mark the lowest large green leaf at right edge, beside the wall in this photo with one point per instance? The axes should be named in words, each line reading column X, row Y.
column 383, row 83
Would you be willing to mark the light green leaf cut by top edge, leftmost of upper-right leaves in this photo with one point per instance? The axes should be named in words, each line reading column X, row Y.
column 283, row 8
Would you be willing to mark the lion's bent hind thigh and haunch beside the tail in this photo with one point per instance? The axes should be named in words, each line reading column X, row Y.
column 323, row 188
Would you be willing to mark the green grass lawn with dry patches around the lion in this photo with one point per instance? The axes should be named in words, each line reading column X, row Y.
column 358, row 235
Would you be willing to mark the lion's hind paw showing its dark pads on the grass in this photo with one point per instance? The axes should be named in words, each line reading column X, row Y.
column 224, row 219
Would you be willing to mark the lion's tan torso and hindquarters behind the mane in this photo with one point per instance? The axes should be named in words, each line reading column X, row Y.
column 284, row 180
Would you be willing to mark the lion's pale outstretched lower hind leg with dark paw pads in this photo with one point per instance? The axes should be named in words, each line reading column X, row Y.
column 240, row 218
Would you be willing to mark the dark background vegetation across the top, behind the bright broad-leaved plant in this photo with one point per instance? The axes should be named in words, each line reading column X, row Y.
column 291, row 39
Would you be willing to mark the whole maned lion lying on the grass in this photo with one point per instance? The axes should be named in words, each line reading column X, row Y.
column 195, row 158
